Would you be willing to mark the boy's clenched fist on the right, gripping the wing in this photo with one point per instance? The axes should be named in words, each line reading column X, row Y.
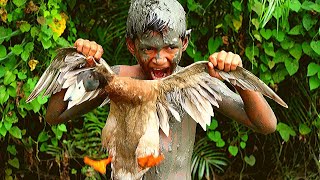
column 224, row 61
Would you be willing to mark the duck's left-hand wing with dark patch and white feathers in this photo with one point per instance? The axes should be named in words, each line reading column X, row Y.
column 68, row 71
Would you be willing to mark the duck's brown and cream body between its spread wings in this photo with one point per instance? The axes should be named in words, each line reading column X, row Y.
column 131, row 131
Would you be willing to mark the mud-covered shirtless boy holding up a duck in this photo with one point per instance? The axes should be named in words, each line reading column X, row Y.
column 157, row 36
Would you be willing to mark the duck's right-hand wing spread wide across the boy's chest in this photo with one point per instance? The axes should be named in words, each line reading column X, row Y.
column 194, row 91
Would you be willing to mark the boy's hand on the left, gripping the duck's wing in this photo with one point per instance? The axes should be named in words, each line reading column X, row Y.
column 90, row 49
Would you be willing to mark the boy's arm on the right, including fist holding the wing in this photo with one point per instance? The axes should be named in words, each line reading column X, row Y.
column 250, row 108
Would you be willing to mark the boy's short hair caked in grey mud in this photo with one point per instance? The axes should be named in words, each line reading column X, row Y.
column 155, row 15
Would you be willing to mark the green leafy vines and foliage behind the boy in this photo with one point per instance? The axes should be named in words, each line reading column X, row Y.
column 278, row 40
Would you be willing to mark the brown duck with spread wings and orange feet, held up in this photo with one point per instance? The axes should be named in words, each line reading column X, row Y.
column 140, row 108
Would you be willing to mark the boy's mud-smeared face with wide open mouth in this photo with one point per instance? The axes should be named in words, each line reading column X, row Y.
column 158, row 54
